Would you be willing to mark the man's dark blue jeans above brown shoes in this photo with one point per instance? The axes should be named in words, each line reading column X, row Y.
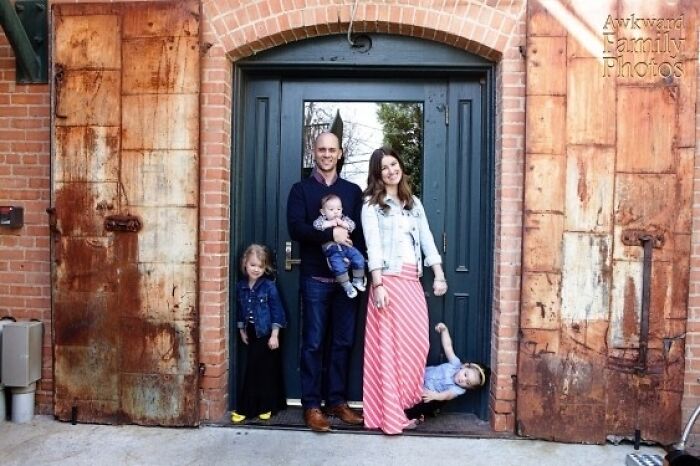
column 326, row 310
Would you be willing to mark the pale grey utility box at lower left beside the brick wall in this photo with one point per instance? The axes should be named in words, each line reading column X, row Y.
column 21, row 353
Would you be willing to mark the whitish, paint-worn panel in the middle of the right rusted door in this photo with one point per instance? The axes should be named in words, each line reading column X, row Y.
column 585, row 290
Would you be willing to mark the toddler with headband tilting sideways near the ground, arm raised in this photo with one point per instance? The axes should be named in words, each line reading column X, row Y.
column 448, row 380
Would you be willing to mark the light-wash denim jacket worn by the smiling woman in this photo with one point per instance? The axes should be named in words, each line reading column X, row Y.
column 381, row 230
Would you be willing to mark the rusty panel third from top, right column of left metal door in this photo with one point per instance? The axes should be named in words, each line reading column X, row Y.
column 145, row 117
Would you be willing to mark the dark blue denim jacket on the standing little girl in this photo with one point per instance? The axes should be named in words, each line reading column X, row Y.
column 265, row 304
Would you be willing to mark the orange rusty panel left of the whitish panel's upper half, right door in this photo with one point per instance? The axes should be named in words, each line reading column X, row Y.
column 542, row 242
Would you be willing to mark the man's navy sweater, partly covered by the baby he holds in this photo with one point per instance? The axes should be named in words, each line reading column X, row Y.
column 303, row 208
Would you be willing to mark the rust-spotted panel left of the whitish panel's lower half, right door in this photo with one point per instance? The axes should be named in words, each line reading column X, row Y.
column 541, row 300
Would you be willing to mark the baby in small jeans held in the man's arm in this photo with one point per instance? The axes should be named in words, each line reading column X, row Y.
column 338, row 255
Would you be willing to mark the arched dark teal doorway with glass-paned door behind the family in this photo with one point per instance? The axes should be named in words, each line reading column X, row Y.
column 448, row 107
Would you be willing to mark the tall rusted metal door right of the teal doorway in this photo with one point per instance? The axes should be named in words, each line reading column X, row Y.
column 609, row 170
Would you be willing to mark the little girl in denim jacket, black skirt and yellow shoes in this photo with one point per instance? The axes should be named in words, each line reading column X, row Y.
column 259, row 319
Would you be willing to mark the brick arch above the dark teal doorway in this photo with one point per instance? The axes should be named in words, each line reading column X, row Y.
column 253, row 27
